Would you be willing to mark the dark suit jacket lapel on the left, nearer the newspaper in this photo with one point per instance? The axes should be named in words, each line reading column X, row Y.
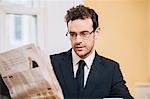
column 68, row 75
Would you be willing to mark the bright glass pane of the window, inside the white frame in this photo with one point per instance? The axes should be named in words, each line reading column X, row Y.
column 22, row 29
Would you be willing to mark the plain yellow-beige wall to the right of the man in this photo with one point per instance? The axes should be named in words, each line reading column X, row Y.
column 124, row 36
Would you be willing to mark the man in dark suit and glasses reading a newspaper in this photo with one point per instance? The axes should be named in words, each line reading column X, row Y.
column 99, row 77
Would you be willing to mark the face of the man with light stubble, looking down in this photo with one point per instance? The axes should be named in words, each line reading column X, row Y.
column 83, row 47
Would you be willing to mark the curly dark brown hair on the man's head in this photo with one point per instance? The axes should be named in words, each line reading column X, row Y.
column 82, row 12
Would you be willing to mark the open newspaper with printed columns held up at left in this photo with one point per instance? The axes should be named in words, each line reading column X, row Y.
column 25, row 81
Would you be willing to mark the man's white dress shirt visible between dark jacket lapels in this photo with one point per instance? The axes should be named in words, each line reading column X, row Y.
column 87, row 68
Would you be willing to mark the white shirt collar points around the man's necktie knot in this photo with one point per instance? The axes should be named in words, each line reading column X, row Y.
column 88, row 60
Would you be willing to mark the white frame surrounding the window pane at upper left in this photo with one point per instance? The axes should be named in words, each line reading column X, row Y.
column 13, row 9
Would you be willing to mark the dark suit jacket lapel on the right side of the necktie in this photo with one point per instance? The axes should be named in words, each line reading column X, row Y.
column 94, row 76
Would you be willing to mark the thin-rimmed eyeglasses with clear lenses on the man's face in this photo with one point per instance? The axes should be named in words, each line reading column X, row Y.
column 83, row 35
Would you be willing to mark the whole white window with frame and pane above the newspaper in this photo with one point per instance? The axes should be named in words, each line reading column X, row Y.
column 19, row 22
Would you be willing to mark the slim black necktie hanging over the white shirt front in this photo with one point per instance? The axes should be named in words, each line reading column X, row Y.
column 80, row 76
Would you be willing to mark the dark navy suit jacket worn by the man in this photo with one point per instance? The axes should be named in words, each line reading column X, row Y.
column 105, row 78
